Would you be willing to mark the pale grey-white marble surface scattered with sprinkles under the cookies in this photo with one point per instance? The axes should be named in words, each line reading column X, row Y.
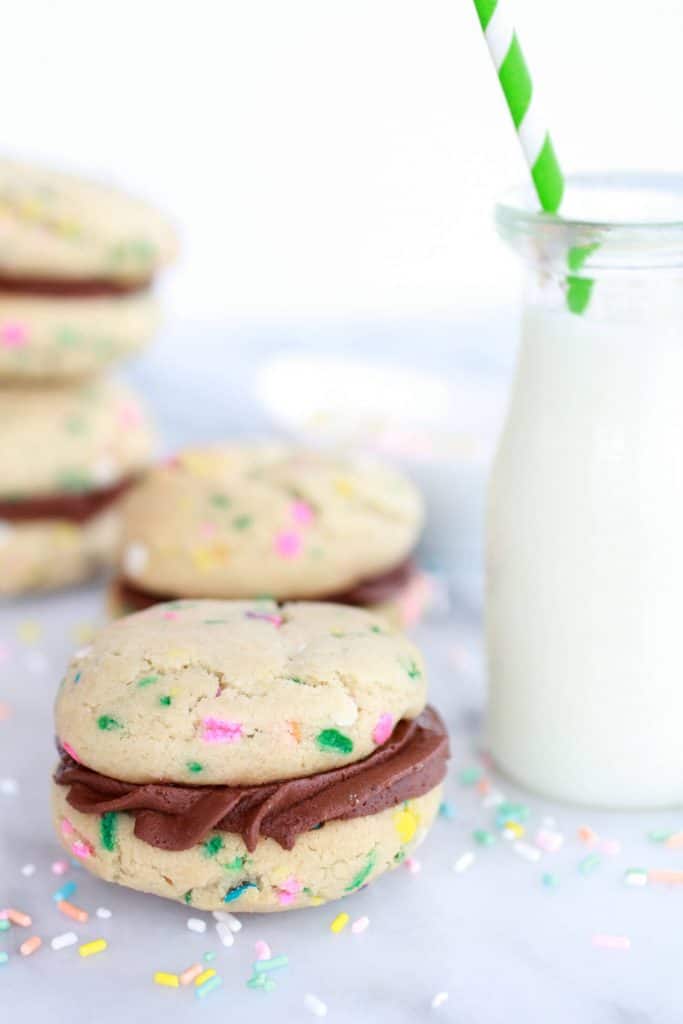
column 503, row 945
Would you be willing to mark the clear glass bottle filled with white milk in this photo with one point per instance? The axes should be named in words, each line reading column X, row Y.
column 585, row 515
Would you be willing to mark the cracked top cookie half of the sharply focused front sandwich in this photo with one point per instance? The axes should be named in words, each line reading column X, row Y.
column 236, row 693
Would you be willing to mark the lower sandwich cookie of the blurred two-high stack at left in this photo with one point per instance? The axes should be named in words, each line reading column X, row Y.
column 67, row 456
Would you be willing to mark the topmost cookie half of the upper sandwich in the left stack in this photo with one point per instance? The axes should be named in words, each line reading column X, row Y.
column 59, row 227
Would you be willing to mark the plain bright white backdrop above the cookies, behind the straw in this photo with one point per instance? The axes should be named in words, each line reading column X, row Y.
column 333, row 157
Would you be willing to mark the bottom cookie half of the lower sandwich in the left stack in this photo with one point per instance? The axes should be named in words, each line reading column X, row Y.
column 47, row 554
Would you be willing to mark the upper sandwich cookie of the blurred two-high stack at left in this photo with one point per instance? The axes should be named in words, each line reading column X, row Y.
column 77, row 265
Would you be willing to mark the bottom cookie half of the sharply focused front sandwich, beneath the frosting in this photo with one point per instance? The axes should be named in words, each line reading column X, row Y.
column 325, row 865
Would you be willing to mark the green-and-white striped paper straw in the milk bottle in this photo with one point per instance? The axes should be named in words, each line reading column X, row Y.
column 516, row 79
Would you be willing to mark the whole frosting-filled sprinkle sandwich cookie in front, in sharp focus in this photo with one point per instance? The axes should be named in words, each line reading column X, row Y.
column 247, row 754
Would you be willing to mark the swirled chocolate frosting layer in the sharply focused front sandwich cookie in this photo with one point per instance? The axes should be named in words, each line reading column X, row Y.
column 411, row 763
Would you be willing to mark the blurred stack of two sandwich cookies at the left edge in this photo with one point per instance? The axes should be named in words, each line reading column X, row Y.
column 77, row 264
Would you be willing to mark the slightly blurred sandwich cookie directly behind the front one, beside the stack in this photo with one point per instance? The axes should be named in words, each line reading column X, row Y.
column 250, row 521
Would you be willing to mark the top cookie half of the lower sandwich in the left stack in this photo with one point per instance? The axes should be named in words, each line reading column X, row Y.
column 71, row 440
